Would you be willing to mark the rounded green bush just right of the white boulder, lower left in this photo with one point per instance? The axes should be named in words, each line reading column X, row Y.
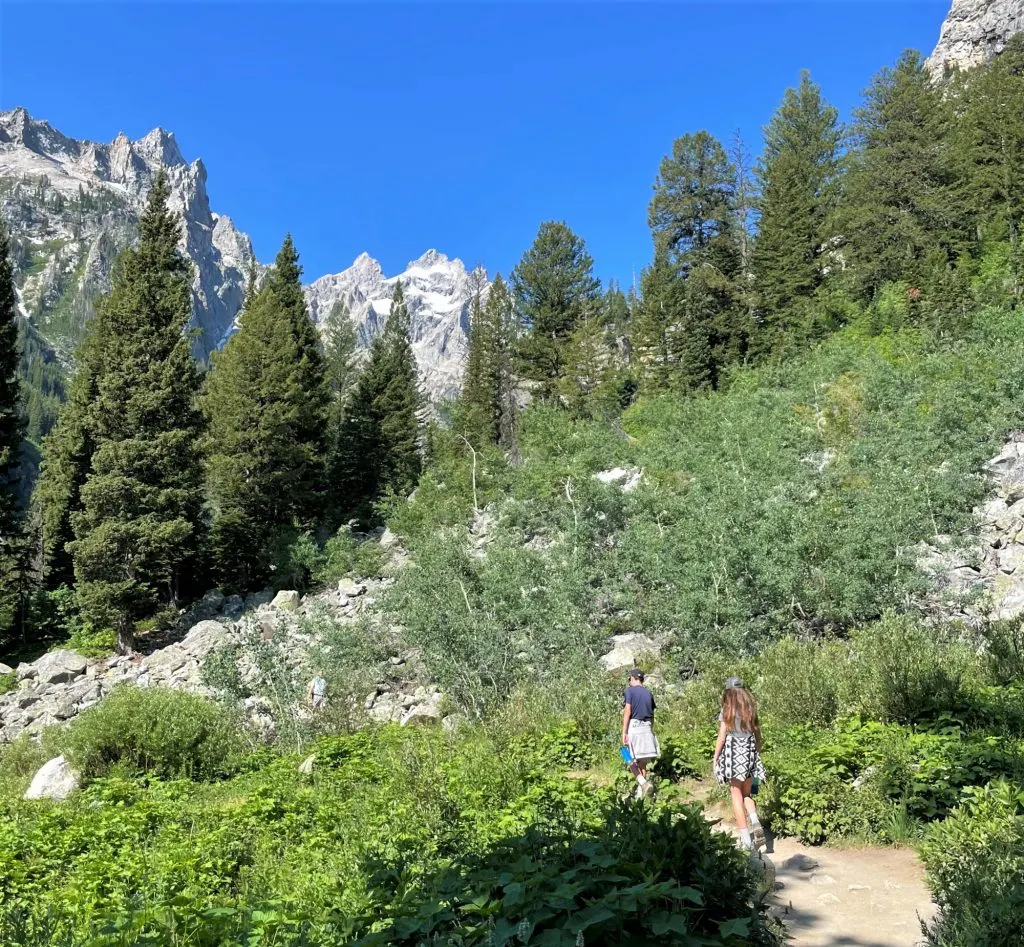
column 163, row 733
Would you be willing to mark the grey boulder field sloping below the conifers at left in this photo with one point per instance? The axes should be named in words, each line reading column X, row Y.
column 281, row 630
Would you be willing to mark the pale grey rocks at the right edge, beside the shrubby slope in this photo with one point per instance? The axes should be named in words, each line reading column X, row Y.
column 982, row 578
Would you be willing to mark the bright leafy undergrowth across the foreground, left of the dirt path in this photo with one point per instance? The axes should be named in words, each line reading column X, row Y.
column 398, row 837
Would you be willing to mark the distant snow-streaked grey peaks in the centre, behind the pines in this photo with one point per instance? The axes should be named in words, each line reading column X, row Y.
column 439, row 292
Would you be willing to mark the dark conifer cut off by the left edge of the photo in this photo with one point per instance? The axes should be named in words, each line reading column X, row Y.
column 12, row 535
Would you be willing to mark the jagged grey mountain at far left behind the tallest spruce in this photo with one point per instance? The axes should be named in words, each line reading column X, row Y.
column 72, row 206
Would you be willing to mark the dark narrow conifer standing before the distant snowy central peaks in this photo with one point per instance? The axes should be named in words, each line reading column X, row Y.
column 381, row 435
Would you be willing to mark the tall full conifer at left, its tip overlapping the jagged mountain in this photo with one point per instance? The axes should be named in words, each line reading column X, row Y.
column 140, row 526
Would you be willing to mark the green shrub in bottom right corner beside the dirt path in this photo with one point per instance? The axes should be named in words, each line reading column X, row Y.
column 975, row 863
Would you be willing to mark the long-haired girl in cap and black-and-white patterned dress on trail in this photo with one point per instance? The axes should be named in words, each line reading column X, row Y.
column 738, row 759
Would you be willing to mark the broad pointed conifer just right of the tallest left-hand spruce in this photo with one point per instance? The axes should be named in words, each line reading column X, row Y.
column 268, row 407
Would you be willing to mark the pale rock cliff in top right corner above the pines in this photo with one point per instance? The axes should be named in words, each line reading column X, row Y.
column 975, row 31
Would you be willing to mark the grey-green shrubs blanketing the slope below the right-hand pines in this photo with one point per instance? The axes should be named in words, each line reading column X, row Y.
column 792, row 503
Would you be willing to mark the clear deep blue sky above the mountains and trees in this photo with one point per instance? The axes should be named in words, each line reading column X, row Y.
column 394, row 128
